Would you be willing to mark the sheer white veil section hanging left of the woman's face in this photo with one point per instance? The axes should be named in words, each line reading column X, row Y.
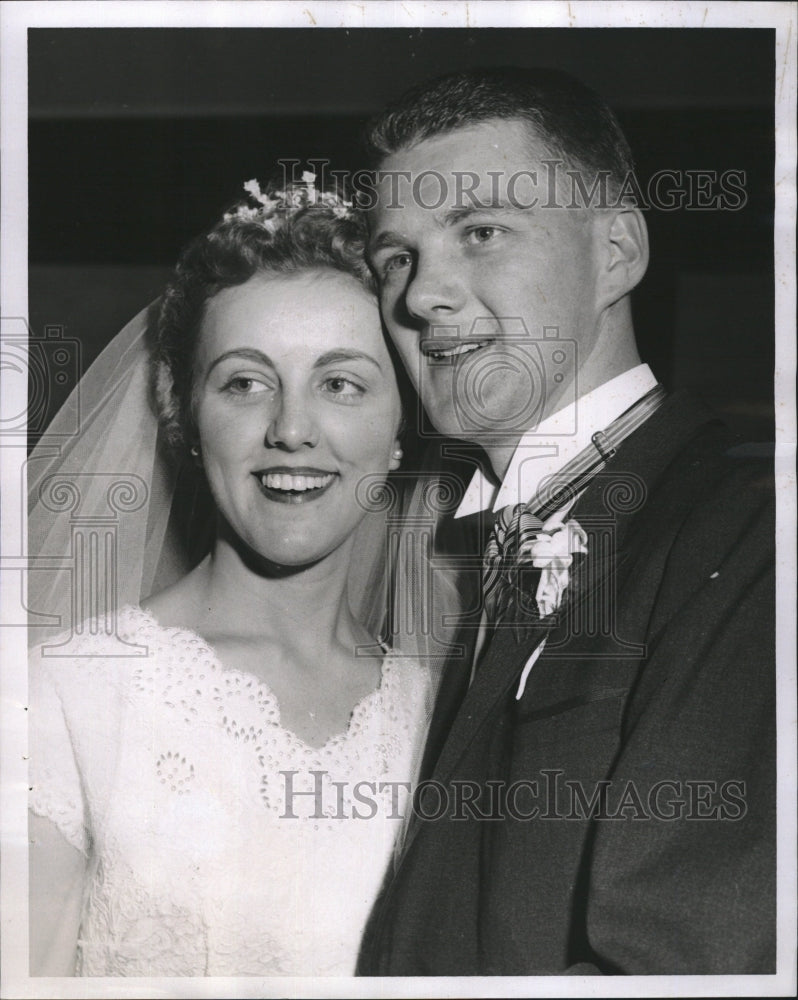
column 97, row 476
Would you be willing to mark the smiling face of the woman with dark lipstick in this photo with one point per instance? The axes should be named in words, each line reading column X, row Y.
column 295, row 401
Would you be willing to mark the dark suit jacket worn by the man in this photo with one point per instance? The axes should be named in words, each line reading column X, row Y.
column 637, row 831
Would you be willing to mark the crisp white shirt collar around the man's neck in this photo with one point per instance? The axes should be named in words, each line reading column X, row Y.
column 542, row 452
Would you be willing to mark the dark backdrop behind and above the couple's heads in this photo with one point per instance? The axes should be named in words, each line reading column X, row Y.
column 138, row 138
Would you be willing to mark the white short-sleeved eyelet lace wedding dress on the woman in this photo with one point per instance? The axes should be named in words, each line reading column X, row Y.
column 217, row 841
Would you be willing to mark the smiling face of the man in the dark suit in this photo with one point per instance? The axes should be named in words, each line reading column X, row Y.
column 487, row 282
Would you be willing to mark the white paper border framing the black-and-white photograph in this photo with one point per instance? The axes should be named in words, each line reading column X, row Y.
column 15, row 19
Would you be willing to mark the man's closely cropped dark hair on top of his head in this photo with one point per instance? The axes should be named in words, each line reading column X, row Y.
column 574, row 124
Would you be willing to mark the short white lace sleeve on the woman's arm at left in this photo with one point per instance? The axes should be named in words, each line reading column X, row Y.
column 55, row 787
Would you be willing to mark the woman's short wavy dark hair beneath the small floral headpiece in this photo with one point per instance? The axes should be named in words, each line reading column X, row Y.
column 316, row 236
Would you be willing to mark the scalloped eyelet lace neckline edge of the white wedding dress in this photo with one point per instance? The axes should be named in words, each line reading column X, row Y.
column 360, row 710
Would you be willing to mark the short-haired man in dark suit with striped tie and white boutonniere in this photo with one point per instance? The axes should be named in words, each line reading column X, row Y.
column 600, row 772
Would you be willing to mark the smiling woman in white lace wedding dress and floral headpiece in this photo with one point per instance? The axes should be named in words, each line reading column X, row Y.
column 227, row 802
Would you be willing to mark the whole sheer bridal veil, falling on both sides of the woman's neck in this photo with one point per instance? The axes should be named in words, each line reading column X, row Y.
column 113, row 518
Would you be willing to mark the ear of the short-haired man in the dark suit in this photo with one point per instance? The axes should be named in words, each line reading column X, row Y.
column 624, row 252
